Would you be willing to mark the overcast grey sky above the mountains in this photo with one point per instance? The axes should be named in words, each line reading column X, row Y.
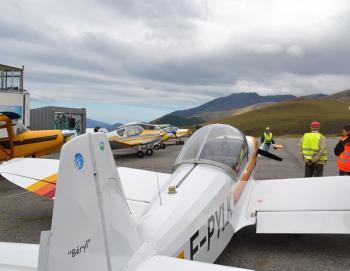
column 129, row 60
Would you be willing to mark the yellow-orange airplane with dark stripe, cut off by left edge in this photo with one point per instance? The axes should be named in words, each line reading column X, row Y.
column 16, row 140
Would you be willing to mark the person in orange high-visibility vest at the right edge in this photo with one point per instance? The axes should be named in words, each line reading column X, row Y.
column 342, row 151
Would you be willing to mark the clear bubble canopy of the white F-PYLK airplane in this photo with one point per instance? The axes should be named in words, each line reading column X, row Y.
column 216, row 144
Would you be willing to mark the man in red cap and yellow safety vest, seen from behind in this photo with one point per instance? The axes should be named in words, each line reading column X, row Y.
column 313, row 147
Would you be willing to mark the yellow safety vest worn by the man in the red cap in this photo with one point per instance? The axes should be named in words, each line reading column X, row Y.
column 311, row 146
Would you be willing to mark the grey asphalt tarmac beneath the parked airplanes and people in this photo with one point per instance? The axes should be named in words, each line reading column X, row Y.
column 24, row 215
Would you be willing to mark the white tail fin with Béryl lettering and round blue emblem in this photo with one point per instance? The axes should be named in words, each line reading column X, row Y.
column 92, row 228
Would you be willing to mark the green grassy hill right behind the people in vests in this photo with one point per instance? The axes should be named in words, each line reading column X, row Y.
column 293, row 117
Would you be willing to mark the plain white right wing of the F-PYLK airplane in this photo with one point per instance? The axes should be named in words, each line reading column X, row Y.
column 305, row 205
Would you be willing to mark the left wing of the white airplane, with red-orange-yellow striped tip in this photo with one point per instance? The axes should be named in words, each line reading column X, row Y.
column 39, row 176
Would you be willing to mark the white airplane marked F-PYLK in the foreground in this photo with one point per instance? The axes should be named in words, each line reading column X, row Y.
column 104, row 221
